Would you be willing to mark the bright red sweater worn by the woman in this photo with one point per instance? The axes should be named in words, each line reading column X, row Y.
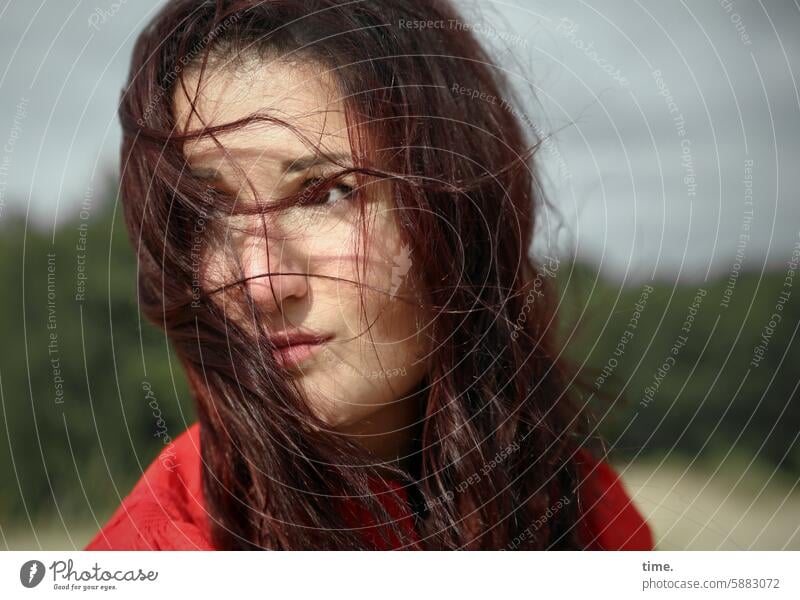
column 165, row 509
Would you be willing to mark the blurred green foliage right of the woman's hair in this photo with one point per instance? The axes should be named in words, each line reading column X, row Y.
column 717, row 398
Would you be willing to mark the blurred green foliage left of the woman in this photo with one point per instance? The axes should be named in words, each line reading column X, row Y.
column 75, row 455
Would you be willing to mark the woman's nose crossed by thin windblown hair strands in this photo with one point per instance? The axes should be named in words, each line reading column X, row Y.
column 274, row 271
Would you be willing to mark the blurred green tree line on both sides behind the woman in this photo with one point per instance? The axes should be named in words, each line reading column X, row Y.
column 79, row 369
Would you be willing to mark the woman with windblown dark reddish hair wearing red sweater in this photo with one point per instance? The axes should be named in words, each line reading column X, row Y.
column 333, row 229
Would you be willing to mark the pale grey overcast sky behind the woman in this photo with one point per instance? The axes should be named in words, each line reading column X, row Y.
column 641, row 193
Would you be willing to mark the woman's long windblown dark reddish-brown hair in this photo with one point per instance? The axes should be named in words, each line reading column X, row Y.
column 500, row 425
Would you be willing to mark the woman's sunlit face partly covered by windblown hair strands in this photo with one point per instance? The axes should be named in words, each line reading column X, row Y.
column 373, row 352
